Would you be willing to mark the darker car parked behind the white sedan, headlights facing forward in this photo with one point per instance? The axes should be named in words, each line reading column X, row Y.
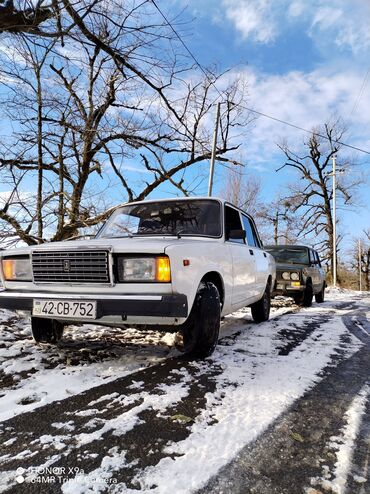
column 298, row 273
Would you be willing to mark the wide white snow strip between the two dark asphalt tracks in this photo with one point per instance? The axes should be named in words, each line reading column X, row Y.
column 260, row 386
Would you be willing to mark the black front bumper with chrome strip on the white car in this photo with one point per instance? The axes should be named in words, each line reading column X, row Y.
column 174, row 305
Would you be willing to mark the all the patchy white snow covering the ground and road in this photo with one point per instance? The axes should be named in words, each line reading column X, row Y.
column 265, row 368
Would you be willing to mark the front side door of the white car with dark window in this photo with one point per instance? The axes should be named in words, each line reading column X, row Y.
column 243, row 260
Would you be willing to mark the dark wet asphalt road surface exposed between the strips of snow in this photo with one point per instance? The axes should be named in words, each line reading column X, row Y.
column 284, row 458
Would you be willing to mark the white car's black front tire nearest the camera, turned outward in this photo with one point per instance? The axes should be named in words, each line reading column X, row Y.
column 200, row 331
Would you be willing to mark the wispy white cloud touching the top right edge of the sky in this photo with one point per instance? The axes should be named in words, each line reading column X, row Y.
column 343, row 22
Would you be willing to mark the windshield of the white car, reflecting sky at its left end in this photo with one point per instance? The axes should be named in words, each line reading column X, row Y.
column 195, row 217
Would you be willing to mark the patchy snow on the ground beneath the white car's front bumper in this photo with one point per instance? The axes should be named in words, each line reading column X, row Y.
column 89, row 356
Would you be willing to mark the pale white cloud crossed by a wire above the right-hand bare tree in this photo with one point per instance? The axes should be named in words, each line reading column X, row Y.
column 307, row 100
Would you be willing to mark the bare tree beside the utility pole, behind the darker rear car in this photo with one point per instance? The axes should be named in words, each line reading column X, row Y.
column 312, row 194
